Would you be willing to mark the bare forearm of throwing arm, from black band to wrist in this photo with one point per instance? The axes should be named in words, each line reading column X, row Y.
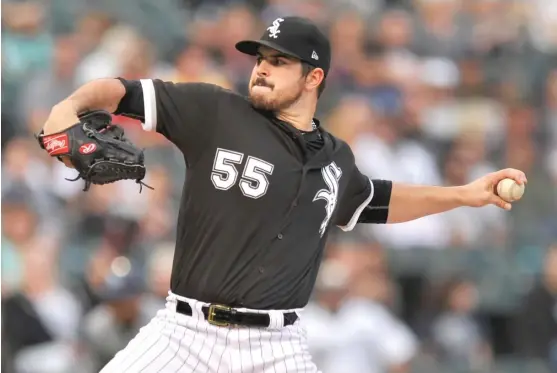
column 409, row 202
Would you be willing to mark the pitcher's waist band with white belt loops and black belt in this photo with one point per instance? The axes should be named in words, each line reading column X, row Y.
column 223, row 315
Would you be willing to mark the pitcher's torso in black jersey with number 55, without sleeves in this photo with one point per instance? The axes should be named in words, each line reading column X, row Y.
column 255, row 212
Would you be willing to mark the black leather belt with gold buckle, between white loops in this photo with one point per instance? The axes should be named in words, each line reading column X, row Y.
column 219, row 315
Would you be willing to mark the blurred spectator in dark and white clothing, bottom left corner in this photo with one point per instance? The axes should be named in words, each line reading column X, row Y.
column 41, row 320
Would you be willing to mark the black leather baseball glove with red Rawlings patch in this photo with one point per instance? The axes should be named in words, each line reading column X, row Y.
column 97, row 149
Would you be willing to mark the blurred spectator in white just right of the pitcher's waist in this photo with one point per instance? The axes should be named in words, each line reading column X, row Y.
column 367, row 337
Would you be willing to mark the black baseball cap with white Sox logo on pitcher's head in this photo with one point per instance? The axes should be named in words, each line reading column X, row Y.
column 296, row 37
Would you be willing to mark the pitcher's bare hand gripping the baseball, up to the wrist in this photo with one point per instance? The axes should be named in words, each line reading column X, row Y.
column 483, row 191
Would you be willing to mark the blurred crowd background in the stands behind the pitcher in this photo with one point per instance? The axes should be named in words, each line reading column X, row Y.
column 425, row 91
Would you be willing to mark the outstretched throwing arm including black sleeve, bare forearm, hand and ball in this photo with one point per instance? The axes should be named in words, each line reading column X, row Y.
column 385, row 202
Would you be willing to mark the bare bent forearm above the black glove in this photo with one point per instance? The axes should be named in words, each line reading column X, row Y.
column 101, row 94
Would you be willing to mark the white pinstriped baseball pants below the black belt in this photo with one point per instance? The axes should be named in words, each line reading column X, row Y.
column 173, row 342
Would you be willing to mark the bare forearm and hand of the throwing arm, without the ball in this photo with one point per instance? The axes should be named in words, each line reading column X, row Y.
column 409, row 202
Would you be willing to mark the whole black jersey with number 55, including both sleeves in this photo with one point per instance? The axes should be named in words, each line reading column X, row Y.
column 259, row 199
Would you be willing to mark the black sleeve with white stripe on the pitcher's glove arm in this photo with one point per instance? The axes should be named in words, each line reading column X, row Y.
column 185, row 113
